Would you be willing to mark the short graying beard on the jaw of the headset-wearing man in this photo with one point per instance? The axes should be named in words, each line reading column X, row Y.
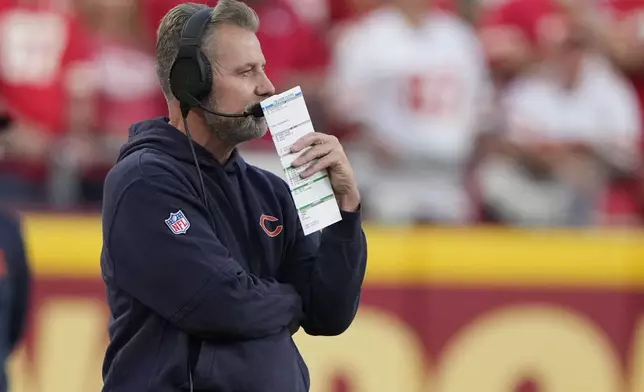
column 234, row 130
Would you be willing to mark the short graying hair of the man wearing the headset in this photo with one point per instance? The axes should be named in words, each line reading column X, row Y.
column 169, row 33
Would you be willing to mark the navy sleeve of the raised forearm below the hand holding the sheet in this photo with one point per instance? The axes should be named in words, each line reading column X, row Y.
column 328, row 270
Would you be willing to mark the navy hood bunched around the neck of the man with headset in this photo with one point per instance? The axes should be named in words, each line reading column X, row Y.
column 158, row 134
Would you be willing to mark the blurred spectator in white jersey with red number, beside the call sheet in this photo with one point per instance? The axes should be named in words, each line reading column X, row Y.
column 414, row 78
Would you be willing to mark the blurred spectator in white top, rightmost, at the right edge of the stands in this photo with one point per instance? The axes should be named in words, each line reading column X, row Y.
column 571, row 124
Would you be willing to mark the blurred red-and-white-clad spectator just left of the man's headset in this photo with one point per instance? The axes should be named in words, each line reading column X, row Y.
column 127, row 90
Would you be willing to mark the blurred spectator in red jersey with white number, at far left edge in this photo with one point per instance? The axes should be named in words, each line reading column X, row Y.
column 43, row 67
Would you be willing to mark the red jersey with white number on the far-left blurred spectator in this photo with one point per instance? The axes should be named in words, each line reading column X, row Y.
column 38, row 49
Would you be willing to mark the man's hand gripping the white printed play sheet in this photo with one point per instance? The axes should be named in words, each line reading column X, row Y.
column 328, row 153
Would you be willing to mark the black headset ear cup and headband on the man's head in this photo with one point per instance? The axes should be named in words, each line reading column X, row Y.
column 191, row 72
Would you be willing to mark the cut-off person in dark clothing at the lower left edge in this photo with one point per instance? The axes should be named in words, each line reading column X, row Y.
column 14, row 289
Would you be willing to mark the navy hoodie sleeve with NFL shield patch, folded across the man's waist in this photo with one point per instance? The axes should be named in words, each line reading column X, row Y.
column 190, row 278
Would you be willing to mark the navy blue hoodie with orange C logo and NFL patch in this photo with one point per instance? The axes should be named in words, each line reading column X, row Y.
column 218, row 288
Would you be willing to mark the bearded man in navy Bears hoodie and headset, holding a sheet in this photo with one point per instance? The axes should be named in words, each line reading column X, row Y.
column 207, row 281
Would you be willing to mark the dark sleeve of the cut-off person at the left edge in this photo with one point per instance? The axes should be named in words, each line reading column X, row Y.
column 18, row 277
